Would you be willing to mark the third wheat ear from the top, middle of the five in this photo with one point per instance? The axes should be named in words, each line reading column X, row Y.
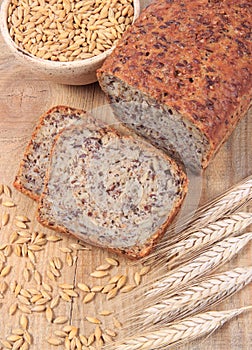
column 206, row 262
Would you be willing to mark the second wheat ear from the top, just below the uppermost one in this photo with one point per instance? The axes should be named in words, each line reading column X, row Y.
column 202, row 238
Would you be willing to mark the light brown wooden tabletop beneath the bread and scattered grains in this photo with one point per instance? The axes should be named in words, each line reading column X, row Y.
column 22, row 99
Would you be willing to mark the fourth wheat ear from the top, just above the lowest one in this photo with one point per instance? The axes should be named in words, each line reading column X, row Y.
column 194, row 298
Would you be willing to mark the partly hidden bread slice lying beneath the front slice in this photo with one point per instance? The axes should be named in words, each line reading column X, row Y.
column 32, row 170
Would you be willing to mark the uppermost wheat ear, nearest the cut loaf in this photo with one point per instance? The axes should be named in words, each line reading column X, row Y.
column 225, row 204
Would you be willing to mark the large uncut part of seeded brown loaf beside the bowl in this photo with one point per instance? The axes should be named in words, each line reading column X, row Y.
column 181, row 75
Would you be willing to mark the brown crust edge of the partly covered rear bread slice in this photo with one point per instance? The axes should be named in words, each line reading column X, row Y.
column 18, row 182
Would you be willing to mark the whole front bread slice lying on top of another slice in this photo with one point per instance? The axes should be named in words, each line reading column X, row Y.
column 110, row 190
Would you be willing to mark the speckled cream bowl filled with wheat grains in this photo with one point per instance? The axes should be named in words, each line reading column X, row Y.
column 65, row 41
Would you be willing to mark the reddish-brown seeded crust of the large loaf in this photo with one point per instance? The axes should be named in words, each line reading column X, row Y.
column 195, row 58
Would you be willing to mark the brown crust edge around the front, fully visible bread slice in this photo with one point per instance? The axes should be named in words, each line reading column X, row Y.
column 132, row 252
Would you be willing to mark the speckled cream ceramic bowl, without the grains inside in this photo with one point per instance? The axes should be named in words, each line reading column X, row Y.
column 79, row 72
